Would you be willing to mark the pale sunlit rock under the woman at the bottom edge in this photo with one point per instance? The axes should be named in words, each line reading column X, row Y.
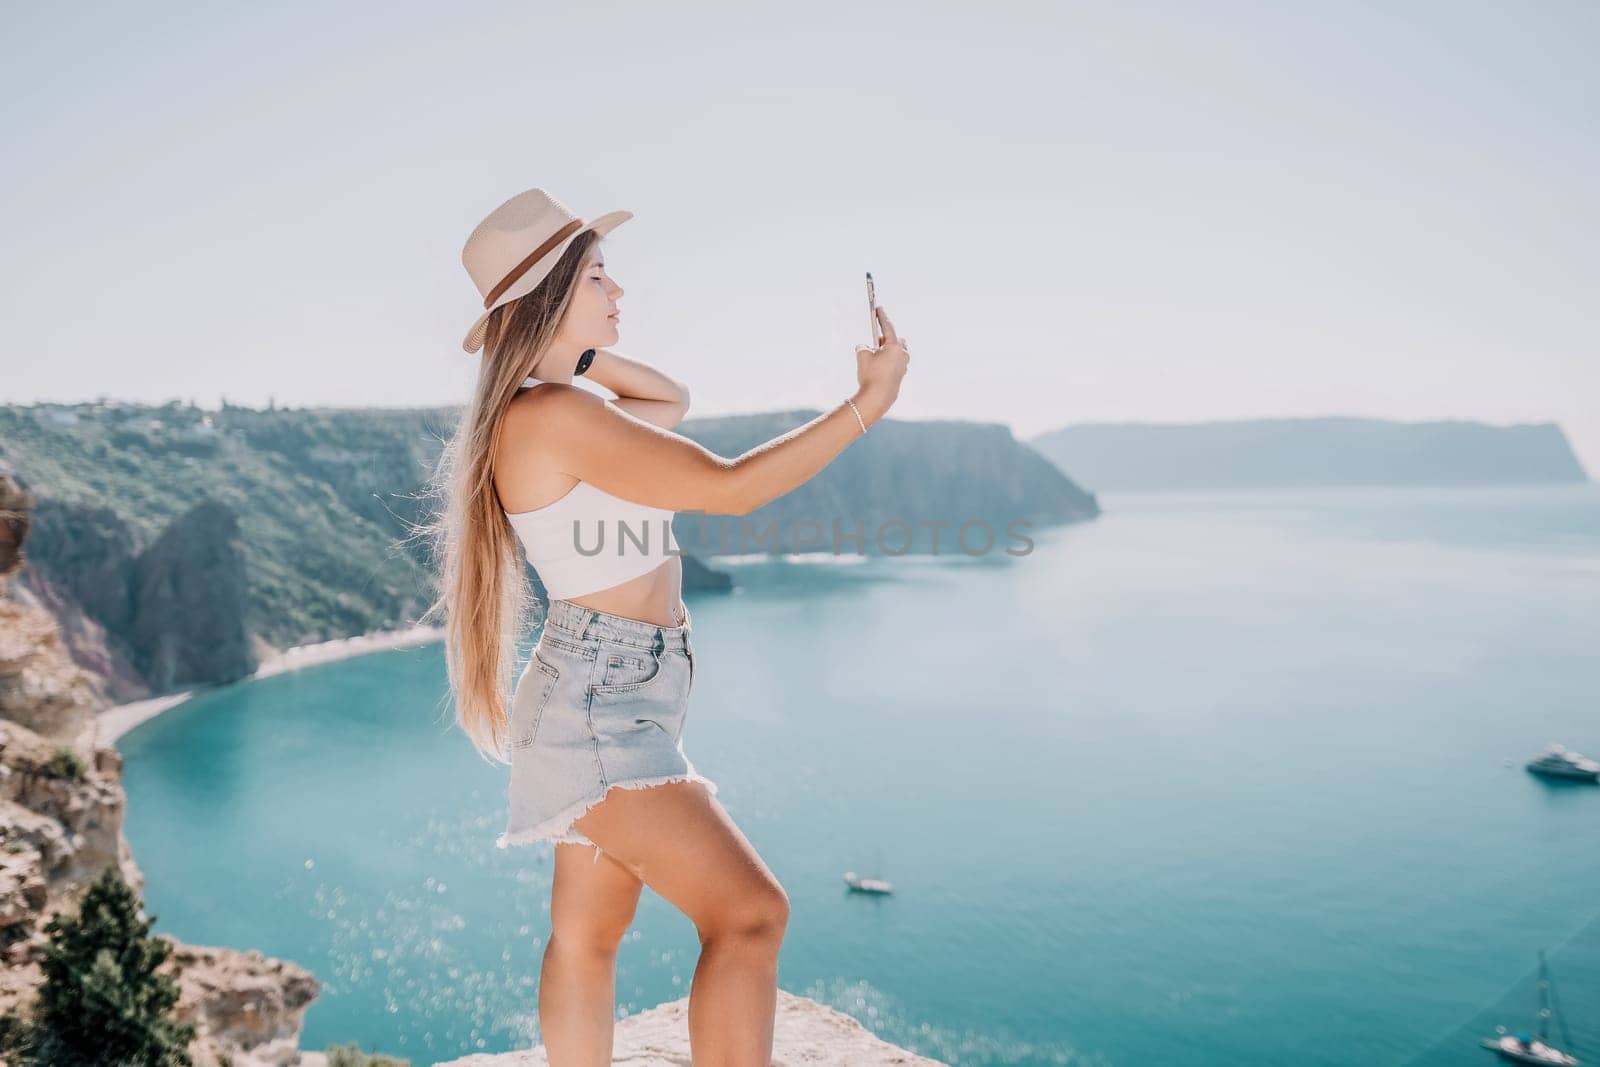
column 804, row 1033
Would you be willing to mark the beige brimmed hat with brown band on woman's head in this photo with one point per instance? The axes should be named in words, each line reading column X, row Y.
column 518, row 246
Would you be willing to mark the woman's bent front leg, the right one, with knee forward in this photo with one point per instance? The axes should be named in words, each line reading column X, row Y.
column 681, row 842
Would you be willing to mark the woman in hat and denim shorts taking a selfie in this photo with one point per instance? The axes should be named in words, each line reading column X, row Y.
column 545, row 471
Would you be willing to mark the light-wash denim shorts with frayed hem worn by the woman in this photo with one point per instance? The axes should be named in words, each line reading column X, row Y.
column 601, row 705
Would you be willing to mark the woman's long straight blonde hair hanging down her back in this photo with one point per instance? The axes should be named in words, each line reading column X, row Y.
column 484, row 594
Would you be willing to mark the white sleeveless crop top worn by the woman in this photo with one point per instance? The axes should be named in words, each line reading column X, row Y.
column 591, row 540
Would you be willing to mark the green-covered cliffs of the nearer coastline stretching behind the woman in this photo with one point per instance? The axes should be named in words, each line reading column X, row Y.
column 178, row 546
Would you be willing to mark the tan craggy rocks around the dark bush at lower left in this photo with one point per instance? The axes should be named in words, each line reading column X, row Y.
column 62, row 825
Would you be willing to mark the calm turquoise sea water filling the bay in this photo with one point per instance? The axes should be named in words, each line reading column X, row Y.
column 1218, row 778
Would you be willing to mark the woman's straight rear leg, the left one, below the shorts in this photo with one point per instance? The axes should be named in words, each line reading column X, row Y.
column 593, row 901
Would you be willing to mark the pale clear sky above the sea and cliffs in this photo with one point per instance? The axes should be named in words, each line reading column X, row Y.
column 1076, row 212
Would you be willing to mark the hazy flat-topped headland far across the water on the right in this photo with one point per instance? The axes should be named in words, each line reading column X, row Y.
column 1314, row 452
